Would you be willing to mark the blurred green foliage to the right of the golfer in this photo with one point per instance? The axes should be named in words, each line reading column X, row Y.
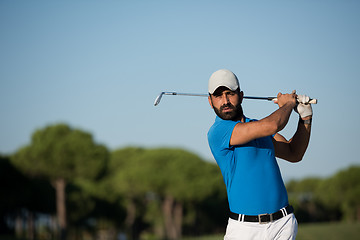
column 327, row 199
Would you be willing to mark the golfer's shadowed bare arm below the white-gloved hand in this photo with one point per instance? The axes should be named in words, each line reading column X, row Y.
column 294, row 149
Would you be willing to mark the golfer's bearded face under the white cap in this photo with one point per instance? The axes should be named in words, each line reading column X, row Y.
column 227, row 103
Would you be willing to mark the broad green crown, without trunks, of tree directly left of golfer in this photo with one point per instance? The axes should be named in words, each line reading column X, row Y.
column 162, row 171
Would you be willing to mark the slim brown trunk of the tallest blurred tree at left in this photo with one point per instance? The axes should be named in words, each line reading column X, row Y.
column 59, row 185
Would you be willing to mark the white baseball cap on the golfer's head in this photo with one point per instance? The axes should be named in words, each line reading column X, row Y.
column 223, row 77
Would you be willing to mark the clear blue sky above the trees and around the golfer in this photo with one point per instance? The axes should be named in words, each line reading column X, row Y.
column 98, row 66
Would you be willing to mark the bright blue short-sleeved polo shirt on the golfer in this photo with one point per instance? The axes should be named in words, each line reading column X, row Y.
column 250, row 171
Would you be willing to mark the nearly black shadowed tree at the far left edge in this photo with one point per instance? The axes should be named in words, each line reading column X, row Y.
column 23, row 196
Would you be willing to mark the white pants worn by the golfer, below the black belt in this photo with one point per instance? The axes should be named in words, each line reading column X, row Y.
column 284, row 228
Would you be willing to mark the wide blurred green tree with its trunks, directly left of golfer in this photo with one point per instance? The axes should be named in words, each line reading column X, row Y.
column 155, row 185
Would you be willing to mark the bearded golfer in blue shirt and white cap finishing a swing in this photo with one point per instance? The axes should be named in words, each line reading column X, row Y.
column 245, row 150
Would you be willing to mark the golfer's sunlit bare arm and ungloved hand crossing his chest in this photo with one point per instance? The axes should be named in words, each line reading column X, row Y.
column 246, row 132
